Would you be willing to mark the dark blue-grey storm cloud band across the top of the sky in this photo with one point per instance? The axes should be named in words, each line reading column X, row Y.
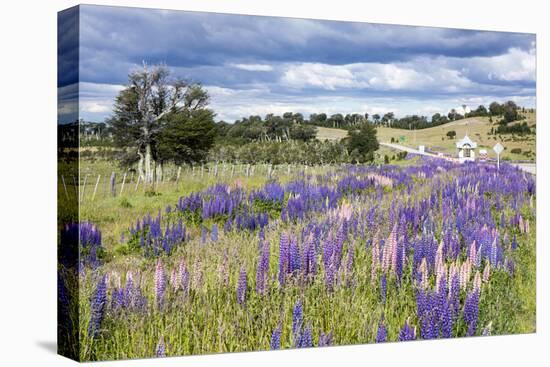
column 114, row 38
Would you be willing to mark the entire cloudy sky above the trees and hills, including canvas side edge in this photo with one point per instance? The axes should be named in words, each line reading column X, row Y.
column 257, row 65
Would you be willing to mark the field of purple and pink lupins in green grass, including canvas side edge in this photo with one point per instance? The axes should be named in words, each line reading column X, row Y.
column 350, row 255
